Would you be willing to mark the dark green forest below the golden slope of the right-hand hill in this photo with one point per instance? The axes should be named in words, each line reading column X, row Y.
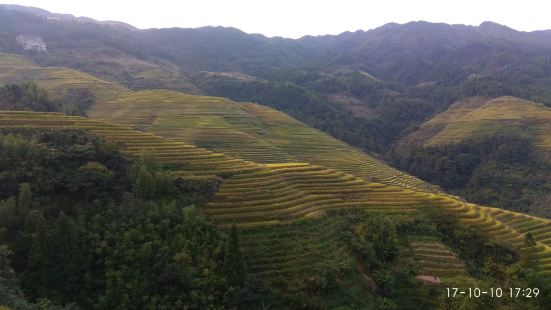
column 502, row 170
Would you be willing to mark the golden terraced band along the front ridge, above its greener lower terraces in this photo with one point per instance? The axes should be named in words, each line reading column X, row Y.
column 268, row 195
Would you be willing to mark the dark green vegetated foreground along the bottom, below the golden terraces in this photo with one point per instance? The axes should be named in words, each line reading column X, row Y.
column 83, row 226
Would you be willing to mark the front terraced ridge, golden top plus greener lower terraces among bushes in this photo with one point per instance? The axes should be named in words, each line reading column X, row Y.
column 291, row 192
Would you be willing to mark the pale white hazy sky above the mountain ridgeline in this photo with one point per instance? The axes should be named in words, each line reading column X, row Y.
column 296, row 18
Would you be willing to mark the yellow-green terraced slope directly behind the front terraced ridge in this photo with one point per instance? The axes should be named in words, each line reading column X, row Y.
column 243, row 130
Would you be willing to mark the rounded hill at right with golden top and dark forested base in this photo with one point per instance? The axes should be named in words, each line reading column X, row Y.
column 491, row 151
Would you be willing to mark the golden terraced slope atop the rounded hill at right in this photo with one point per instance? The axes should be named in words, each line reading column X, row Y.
column 479, row 116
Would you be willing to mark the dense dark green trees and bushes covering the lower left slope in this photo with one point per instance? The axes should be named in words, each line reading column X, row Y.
column 81, row 226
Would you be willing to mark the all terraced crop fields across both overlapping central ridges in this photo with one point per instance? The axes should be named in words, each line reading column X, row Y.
column 280, row 177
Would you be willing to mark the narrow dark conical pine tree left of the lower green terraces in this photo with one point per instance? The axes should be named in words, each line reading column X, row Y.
column 234, row 262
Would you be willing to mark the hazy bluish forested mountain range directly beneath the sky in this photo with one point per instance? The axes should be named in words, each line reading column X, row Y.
column 369, row 88
